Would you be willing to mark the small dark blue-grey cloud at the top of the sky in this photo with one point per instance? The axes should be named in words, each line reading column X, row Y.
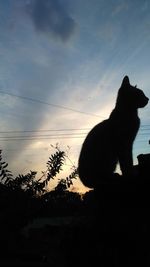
column 49, row 16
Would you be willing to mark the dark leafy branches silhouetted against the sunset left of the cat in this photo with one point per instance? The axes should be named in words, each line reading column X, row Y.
column 34, row 187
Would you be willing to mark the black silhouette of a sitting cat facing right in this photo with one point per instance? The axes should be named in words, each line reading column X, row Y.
column 111, row 141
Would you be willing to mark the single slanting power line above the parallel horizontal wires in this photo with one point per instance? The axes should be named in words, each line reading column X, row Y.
column 49, row 104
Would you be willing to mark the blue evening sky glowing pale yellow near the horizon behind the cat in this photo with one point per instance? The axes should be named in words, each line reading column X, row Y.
column 61, row 65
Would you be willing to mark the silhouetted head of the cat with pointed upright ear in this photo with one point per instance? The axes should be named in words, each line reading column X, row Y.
column 130, row 96
